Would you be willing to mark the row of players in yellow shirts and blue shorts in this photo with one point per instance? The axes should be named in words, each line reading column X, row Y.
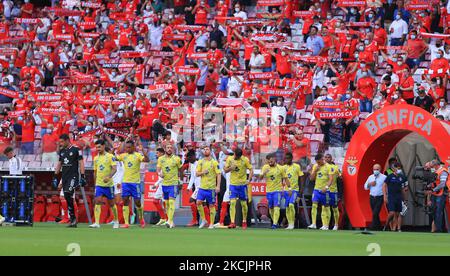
column 119, row 176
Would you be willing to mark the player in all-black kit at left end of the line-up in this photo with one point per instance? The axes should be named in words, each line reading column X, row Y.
column 70, row 165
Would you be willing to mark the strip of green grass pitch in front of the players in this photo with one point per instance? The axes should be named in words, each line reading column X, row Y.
column 52, row 239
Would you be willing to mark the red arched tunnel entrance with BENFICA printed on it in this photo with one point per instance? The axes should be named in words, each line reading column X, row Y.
column 373, row 143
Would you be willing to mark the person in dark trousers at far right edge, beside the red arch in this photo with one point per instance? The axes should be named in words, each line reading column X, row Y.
column 438, row 195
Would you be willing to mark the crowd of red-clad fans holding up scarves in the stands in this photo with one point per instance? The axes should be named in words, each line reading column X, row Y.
column 304, row 73
